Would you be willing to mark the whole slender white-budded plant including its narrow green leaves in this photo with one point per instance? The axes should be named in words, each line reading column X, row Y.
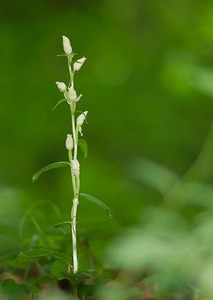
column 73, row 142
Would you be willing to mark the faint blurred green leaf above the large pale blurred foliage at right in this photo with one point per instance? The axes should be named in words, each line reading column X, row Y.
column 154, row 175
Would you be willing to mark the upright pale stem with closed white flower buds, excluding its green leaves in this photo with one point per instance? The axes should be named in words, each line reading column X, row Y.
column 72, row 139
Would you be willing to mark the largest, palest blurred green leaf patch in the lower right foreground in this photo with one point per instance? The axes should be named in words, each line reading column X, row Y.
column 161, row 235
